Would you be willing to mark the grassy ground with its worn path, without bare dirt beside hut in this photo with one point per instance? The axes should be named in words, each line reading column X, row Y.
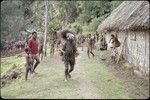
column 90, row 79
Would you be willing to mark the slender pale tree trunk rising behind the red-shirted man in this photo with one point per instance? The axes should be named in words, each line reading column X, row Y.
column 45, row 33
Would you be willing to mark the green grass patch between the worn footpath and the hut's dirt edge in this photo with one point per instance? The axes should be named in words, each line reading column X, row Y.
column 105, row 82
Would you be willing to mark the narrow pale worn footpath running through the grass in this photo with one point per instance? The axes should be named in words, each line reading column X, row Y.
column 86, row 90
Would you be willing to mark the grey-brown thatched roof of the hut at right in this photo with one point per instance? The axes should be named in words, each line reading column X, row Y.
column 130, row 15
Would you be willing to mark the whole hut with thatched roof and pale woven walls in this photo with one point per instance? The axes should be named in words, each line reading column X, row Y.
column 130, row 22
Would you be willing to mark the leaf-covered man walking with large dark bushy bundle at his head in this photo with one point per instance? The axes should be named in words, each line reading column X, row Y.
column 68, row 52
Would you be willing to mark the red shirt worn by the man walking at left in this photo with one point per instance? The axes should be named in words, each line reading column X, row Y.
column 33, row 45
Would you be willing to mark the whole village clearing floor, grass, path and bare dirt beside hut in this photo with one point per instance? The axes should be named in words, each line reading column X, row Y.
column 92, row 78
